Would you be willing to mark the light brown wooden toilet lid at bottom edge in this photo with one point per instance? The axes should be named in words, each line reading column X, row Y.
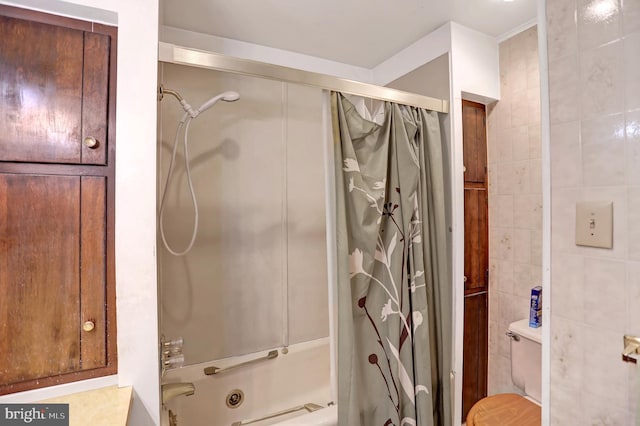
column 508, row 409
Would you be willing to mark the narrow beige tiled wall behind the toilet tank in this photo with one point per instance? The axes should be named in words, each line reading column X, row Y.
column 515, row 199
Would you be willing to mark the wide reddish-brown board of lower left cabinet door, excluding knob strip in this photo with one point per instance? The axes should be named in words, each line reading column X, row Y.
column 39, row 280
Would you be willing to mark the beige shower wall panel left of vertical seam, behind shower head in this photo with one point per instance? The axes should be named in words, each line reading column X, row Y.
column 226, row 296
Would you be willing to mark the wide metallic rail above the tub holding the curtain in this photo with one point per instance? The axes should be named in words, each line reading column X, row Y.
column 186, row 56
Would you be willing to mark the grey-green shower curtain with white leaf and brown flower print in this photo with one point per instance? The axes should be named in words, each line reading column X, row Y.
column 394, row 294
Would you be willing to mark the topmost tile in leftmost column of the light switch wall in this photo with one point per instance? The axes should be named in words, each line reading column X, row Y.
column 562, row 30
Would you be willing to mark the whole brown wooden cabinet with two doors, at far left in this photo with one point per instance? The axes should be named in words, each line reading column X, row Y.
column 57, row 162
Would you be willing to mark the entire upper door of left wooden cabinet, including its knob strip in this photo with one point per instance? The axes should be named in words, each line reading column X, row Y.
column 54, row 93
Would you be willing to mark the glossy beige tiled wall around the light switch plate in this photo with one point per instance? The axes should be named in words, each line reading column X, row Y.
column 594, row 73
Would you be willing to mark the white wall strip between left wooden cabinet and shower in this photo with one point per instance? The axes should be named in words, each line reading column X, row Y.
column 135, row 194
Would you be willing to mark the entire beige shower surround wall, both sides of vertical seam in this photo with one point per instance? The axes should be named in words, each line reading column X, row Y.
column 256, row 277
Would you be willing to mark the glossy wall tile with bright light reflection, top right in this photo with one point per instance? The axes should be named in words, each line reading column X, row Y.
column 598, row 22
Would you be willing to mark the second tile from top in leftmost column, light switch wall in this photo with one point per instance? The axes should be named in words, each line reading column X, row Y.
column 564, row 93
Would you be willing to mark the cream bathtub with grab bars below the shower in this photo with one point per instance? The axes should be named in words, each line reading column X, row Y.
column 292, row 379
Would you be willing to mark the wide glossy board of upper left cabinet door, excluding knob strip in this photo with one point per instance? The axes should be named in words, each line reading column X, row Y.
column 41, row 97
